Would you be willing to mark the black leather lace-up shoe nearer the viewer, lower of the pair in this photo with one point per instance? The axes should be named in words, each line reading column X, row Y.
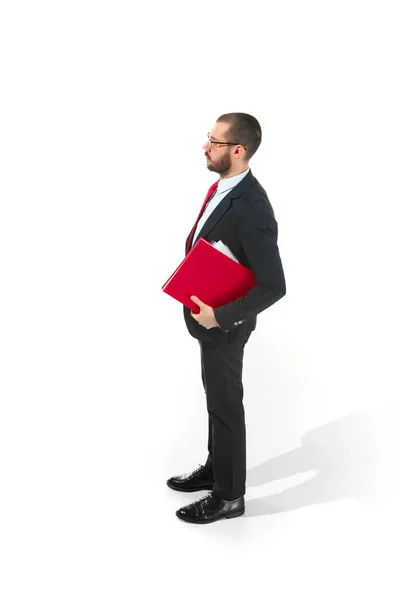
column 210, row 509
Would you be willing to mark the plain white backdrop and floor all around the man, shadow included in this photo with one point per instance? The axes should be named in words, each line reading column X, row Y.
column 104, row 110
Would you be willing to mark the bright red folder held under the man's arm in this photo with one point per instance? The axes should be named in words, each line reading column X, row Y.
column 205, row 272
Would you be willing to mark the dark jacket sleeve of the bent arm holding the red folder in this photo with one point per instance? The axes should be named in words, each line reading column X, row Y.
column 258, row 232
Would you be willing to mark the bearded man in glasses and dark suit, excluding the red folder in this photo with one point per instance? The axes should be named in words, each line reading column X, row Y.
column 240, row 215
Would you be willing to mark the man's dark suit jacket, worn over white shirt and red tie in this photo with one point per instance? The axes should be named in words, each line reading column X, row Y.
column 244, row 220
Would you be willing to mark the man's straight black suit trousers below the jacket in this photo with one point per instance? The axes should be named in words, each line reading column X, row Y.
column 221, row 371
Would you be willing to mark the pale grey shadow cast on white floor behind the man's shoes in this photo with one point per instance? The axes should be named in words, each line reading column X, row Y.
column 356, row 456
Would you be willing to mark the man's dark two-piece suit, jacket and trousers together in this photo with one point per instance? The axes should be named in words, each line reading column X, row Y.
column 244, row 220
